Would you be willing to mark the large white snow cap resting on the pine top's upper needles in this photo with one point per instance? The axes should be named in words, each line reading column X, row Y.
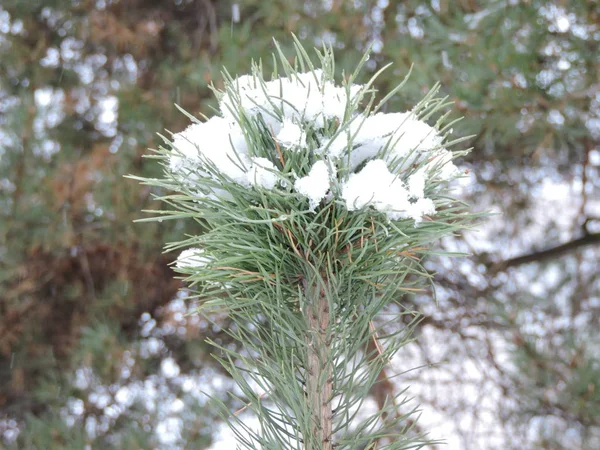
column 382, row 160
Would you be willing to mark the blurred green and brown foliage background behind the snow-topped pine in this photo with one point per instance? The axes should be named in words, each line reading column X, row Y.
column 95, row 348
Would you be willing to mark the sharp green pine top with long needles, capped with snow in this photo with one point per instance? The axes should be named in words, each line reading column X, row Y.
column 315, row 215
